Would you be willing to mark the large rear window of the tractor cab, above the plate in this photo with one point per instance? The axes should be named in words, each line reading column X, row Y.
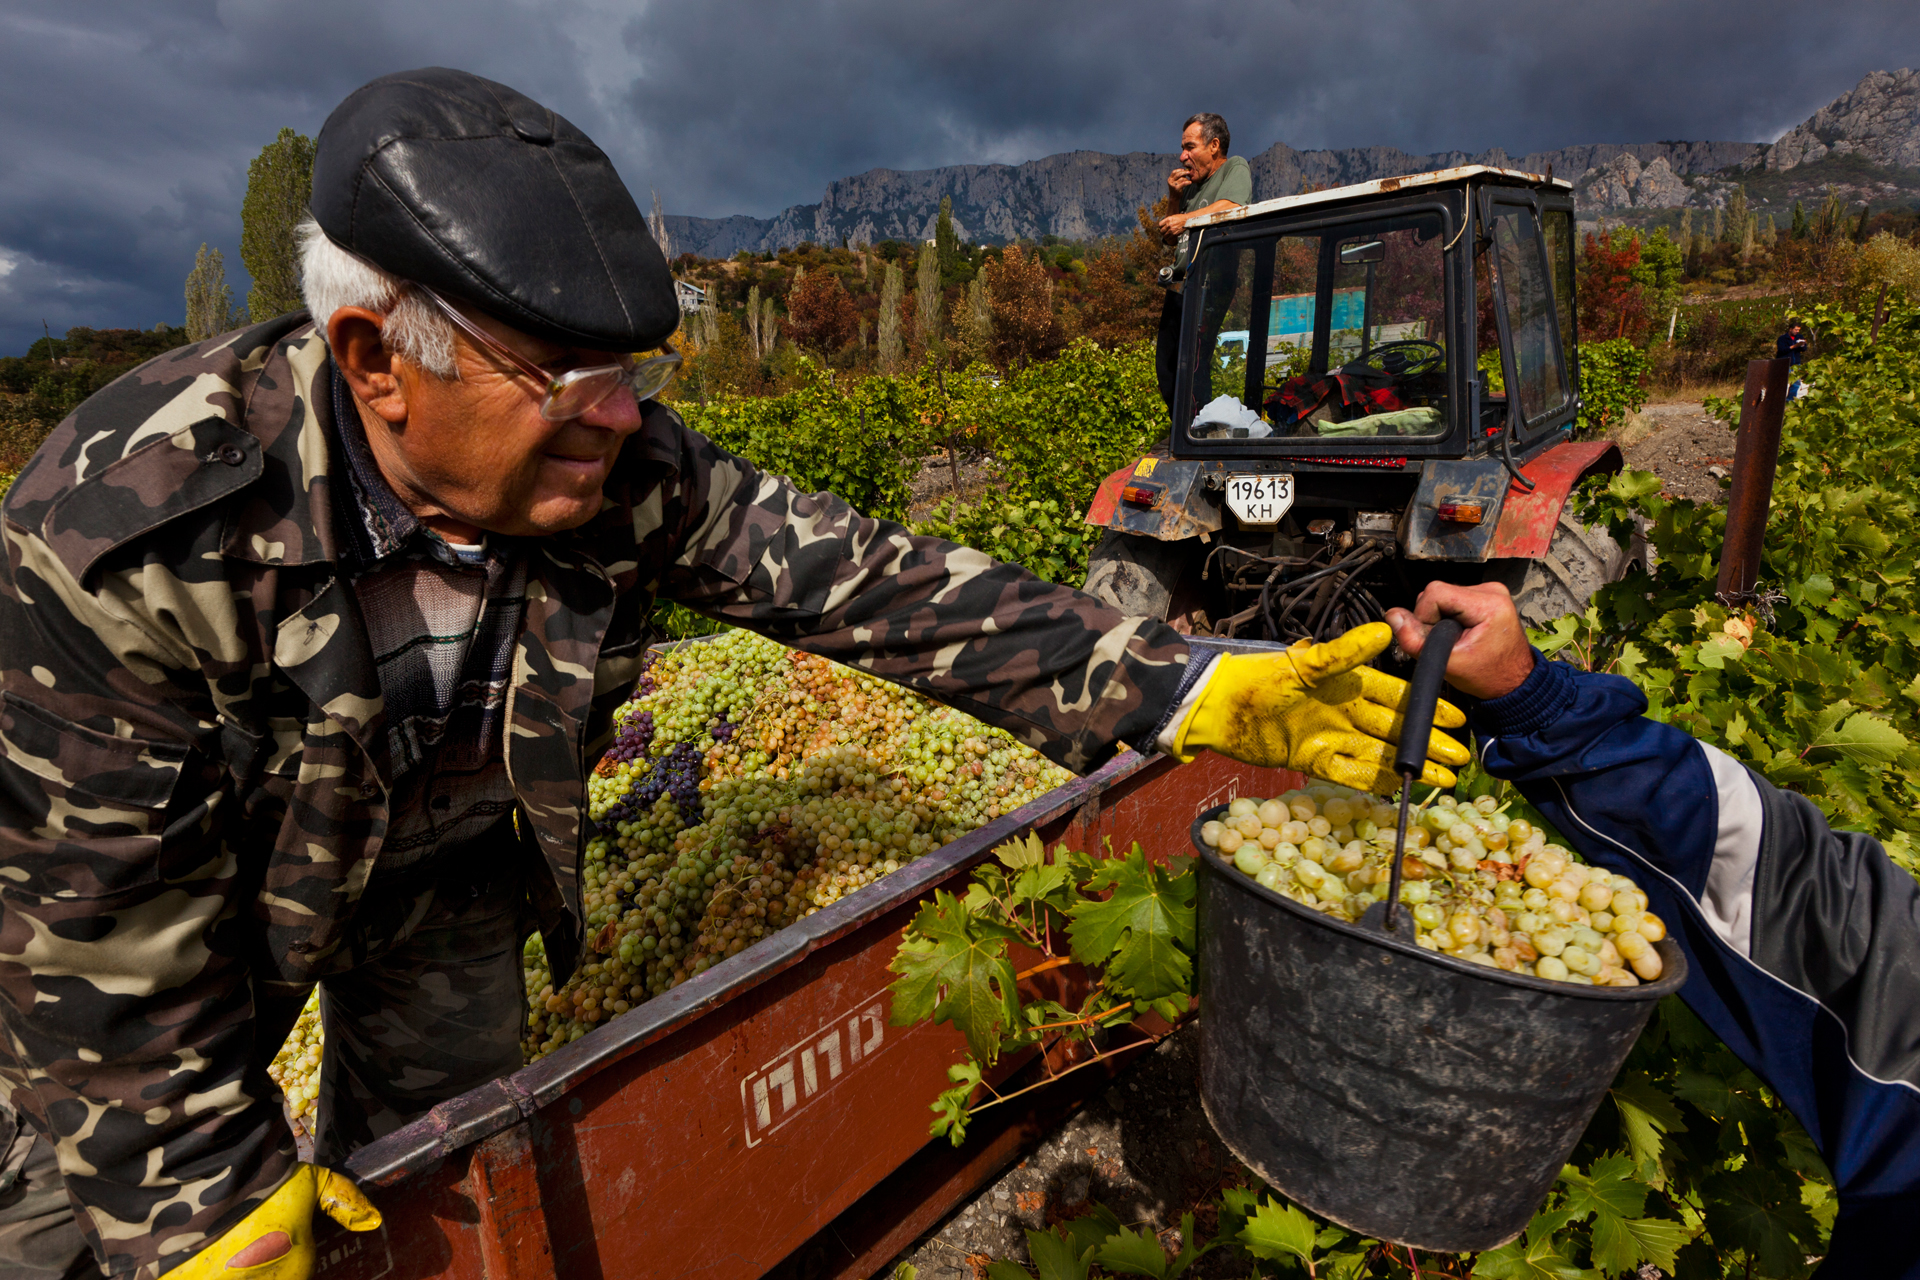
column 1332, row 335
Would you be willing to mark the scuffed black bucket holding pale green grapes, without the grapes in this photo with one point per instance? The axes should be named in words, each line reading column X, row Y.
column 1395, row 1091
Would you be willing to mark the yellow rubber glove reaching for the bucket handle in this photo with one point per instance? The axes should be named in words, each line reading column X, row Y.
column 1318, row 709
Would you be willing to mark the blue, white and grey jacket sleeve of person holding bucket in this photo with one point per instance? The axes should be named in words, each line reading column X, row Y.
column 1804, row 943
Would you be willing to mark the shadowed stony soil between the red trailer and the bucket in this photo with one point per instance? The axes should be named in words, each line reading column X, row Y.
column 1145, row 1150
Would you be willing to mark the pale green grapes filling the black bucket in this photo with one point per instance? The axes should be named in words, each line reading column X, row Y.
column 1479, row 886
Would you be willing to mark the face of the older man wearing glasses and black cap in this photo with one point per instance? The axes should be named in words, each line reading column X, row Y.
column 477, row 452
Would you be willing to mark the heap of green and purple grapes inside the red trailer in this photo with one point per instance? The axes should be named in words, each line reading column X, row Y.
column 811, row 780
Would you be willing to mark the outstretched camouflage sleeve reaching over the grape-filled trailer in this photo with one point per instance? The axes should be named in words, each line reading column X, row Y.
column 1053, row 667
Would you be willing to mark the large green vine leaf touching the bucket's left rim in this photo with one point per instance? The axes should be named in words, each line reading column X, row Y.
column 1143, row 932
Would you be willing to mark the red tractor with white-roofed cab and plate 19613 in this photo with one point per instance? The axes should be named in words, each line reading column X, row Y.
column 1378, row 389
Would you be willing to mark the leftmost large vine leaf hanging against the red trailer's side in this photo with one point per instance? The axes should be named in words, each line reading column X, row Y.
column 953, row 970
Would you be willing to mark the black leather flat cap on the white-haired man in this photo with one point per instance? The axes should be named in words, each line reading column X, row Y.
column 483, row 195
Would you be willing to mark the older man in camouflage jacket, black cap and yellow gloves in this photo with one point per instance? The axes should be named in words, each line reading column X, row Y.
column 312, row 634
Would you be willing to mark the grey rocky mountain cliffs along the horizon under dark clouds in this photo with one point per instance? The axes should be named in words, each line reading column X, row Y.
column 1092, row 195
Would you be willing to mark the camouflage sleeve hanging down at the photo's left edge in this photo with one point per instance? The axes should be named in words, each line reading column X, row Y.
column 126, row 1012
